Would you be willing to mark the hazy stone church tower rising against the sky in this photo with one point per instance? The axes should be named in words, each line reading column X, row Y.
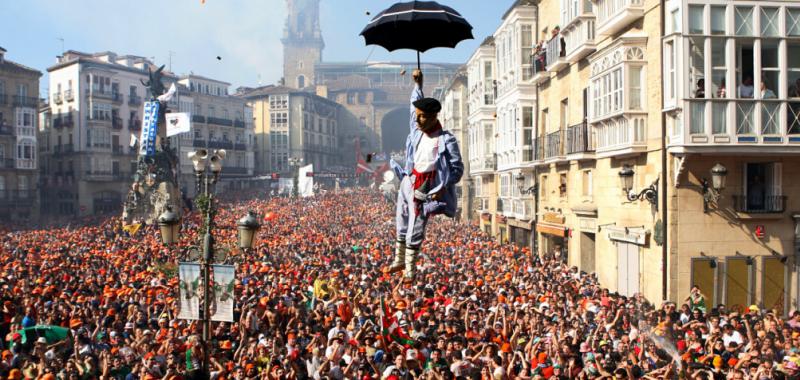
column 302, row 43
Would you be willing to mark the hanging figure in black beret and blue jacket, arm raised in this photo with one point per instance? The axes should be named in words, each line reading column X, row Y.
column 428, row 179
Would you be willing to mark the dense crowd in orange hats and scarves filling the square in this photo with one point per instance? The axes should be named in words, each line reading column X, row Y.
column 312, row 302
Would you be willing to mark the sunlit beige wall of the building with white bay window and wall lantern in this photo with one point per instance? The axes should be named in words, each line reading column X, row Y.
column 597, row 217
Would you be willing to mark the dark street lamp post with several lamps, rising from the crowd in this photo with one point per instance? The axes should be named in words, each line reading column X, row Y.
column 207, row 167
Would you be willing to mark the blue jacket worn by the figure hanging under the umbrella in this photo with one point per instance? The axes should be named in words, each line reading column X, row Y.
column 449, row 167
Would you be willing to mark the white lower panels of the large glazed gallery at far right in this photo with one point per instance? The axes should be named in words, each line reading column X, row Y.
column 737, row 126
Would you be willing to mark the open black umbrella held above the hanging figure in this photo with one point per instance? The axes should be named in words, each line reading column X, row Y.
column 417, row 25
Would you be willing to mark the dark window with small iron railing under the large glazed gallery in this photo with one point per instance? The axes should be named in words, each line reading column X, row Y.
column 762, row 187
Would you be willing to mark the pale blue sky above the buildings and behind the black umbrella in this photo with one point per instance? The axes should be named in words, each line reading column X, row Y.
column 244, row 33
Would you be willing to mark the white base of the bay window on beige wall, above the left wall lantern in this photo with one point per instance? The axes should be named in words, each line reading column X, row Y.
column 623, row 135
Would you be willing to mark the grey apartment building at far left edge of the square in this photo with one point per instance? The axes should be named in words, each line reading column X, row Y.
column 19, row 101
